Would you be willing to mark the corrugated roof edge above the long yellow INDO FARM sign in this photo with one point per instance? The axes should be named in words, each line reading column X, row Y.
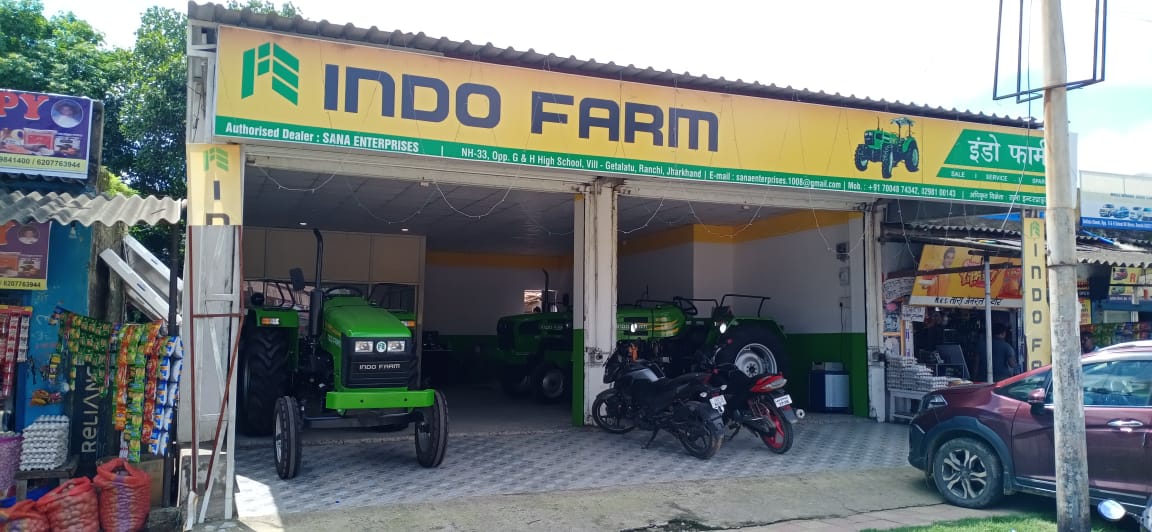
column 533, row 59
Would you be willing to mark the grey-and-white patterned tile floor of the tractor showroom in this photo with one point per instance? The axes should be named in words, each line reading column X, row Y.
column 360, row 475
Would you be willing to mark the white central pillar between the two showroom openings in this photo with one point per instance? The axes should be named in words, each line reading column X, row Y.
column 596, row 245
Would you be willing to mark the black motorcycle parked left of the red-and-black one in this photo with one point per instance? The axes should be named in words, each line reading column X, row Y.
column 641, row 397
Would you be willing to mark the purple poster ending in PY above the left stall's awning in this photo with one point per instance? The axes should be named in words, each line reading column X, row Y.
column 44, row 134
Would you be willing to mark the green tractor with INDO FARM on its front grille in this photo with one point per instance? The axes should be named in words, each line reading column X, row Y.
column 353, row 364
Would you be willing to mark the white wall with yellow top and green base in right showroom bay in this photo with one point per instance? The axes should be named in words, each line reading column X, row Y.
column 786, row 257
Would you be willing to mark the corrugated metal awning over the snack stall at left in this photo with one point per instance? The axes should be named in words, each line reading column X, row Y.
column 88, row 209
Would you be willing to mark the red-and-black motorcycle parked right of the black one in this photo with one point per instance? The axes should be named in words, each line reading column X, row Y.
column 759, row 404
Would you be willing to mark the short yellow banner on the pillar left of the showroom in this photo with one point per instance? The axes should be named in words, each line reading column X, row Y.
column 216, row 185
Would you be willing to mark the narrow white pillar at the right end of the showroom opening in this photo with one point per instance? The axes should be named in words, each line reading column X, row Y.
column 874, row 310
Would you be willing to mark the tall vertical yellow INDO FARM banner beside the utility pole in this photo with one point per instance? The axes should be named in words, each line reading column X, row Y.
column 1037, row 329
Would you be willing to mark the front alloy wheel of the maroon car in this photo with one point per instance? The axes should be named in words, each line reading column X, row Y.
column 967, row 473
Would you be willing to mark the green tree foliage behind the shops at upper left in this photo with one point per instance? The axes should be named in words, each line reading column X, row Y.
column 143, row 89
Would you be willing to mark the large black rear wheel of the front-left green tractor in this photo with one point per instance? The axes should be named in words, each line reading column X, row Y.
column 263, row 378
